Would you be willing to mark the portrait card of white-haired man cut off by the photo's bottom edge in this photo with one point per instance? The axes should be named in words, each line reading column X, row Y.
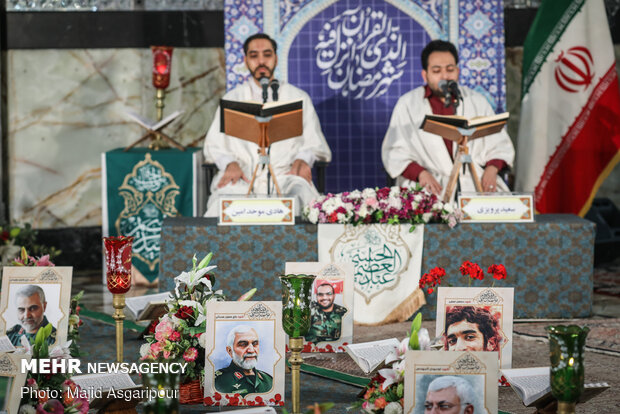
column 443, row 381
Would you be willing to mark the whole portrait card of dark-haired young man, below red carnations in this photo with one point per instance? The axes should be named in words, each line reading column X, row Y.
column 476, row 319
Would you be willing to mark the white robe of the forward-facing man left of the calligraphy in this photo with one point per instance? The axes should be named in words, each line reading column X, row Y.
column 309, row 147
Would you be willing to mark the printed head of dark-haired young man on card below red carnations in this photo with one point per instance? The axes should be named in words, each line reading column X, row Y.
column 471, row 328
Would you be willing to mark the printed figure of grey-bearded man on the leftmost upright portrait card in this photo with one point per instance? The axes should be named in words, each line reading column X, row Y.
column 30, row 306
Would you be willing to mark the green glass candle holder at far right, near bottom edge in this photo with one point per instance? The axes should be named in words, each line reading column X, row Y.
column 566, row 346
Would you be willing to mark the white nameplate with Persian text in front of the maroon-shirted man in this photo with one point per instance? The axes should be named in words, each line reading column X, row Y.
column 497, row 208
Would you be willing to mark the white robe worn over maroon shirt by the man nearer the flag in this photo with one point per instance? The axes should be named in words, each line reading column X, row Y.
column 405, row 142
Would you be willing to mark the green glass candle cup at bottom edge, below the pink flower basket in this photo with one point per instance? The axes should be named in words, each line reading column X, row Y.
column 163, row 395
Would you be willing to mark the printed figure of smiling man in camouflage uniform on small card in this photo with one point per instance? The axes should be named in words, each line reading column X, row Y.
column 326, row 315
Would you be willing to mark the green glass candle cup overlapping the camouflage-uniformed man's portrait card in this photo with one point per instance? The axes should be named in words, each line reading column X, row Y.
column 296, row 298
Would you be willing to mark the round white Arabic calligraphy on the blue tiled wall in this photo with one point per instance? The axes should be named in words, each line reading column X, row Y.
column 361, row 52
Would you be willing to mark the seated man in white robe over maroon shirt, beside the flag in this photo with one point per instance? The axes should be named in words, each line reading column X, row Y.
column 412, row 155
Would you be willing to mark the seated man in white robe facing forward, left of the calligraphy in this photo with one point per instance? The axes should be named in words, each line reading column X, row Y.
column 291, row 159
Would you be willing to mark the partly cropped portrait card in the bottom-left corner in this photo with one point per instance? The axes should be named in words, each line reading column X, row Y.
column 12, row 379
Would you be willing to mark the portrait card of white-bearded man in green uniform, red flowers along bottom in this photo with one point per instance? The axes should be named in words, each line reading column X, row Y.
column 244, row 354
